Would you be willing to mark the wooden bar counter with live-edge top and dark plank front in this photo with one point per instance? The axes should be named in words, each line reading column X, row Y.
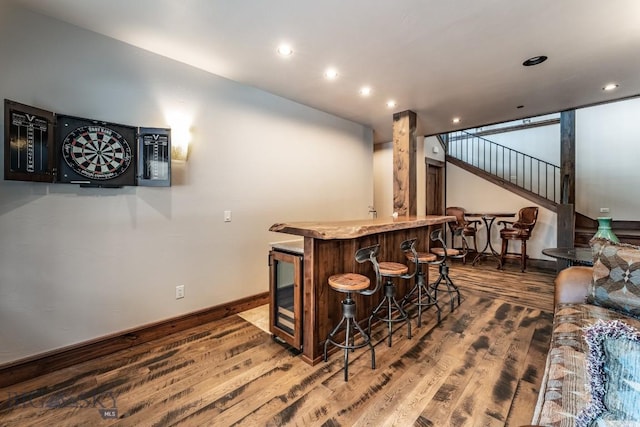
column 329, row 248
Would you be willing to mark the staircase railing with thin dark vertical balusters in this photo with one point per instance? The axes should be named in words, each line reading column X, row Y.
column 525, row 175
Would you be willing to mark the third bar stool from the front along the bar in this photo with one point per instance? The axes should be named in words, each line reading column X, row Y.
column 422, row 295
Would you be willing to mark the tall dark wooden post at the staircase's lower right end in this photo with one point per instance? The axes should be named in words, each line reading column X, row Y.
column 566, row 209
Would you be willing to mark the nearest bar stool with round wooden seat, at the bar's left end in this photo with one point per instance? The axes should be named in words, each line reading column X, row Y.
column 349, row 283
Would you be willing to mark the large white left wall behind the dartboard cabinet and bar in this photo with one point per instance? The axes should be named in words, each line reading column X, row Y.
column 76, row 263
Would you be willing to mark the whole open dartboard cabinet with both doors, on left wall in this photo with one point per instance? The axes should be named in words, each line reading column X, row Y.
column 43, row 146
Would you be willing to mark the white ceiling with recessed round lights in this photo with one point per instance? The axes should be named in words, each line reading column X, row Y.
column 440, row 59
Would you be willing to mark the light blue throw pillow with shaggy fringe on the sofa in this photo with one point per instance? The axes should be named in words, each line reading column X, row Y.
column 613, row 366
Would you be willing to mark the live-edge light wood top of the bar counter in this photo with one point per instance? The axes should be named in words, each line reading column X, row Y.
column 328, row 230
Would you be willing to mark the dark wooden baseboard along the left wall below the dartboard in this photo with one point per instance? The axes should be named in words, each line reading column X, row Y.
column 44, row 363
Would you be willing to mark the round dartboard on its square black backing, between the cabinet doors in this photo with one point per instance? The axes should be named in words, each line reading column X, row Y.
column 96, row 153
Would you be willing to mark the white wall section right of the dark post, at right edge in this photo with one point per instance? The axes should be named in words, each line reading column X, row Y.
column 607, row 154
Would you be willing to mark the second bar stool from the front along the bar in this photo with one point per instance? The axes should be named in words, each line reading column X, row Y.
column 389, row 304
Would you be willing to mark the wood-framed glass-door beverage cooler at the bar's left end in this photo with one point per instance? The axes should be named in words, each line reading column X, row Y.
column 285, row 288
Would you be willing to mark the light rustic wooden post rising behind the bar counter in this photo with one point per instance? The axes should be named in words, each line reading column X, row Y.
column 404, row 163
